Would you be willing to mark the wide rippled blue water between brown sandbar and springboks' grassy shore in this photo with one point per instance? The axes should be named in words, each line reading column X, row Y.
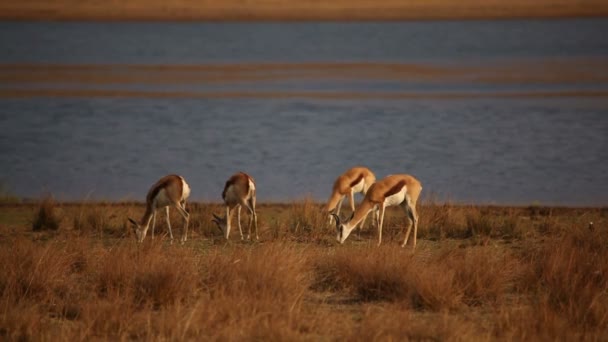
column 480, row 152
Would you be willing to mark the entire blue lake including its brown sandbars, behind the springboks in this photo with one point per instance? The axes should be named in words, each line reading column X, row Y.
column 499, row 112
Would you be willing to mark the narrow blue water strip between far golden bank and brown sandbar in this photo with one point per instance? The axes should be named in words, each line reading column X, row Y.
column 173, row 43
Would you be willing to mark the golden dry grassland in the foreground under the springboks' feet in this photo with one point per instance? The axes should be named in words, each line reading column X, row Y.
column 73, row 271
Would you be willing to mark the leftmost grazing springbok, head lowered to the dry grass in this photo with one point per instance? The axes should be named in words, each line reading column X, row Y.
column 171, row 190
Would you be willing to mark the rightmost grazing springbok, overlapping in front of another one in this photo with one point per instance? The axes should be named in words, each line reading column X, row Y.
column 402, row 190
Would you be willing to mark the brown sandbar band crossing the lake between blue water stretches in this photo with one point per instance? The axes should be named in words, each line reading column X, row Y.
column 517, row 79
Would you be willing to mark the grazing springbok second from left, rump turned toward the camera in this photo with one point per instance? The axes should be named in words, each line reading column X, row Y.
column 238, row 191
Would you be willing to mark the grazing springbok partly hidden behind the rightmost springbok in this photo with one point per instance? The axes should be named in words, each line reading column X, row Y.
column 354, row 180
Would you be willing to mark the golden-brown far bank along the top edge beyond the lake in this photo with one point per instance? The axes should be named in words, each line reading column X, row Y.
column 296, row 10
